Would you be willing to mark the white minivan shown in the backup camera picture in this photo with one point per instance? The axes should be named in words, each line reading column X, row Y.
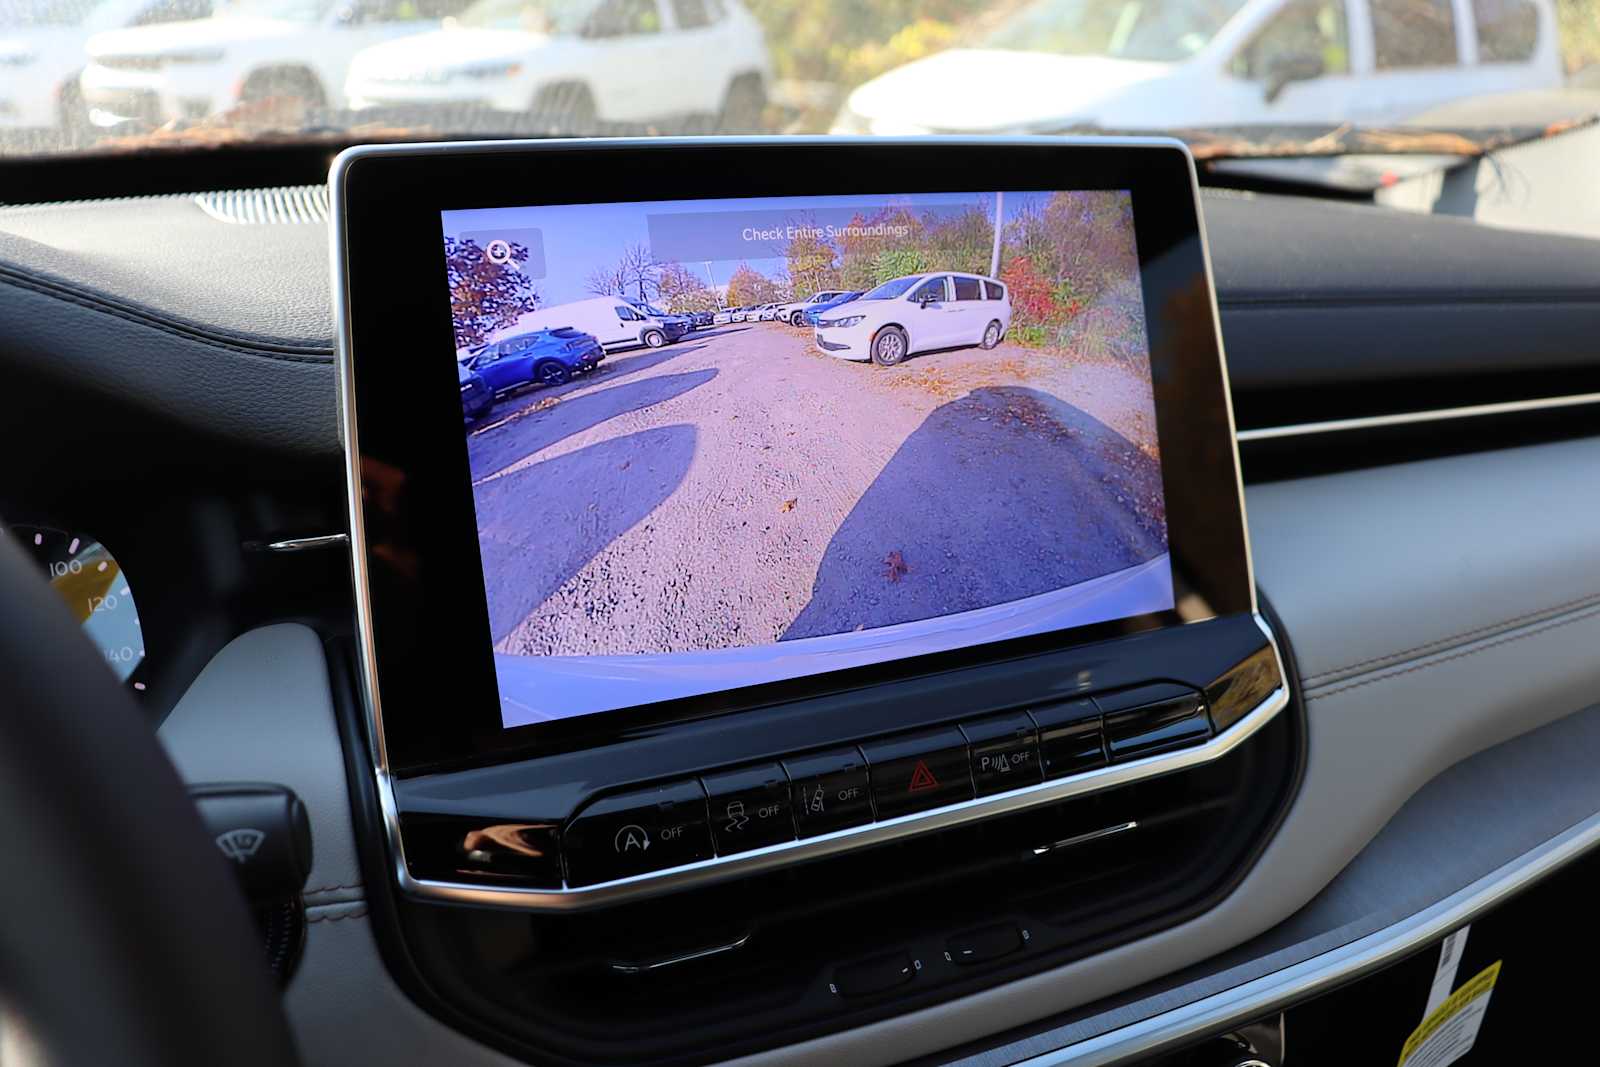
column 914, row 314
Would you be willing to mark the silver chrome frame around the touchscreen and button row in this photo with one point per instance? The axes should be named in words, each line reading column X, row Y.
column 754, row 861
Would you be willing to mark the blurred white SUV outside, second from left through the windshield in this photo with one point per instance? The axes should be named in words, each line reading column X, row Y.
column 249, row 50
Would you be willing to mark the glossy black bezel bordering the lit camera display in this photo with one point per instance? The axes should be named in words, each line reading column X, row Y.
column 418, row 577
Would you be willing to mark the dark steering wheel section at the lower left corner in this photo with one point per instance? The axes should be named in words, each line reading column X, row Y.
column 124, row 937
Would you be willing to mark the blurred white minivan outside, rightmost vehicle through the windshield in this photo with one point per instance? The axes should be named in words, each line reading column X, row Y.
column 1124, row 65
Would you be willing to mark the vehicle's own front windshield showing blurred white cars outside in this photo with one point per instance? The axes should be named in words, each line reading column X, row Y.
column 1359, row 79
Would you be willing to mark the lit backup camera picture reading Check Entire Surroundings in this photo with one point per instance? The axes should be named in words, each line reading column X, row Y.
column 718, row 444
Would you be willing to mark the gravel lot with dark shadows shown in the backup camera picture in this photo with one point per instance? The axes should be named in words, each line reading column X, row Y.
column 743, row 489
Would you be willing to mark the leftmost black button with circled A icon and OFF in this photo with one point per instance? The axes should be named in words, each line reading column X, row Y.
column 633, row 834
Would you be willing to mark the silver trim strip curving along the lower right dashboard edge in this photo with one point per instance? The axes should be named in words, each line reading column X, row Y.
column 1273, row 993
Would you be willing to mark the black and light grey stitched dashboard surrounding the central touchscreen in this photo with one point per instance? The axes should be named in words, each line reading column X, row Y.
column 1425, row 589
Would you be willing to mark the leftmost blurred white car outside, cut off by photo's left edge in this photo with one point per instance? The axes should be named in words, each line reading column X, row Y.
column 42, row 54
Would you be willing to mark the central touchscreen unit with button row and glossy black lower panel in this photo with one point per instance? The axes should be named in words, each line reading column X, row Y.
column 833, row 599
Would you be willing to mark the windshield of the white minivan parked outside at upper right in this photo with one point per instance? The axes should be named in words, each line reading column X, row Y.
column 1164, row 31
